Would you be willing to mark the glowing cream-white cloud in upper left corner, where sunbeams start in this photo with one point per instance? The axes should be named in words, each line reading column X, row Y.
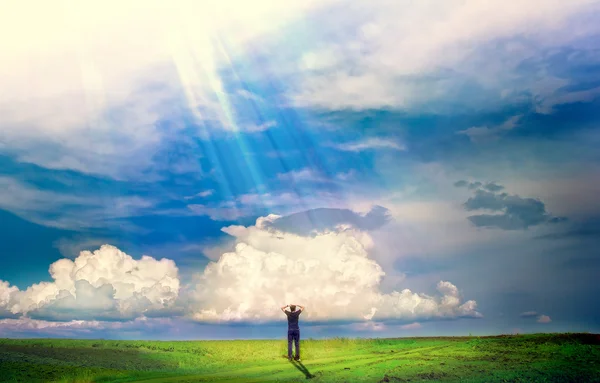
column 100, row 75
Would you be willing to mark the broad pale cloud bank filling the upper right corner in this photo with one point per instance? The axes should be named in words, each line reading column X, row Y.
column 402, row 54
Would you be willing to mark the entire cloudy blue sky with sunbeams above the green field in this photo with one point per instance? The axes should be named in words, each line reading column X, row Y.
column 182, row 169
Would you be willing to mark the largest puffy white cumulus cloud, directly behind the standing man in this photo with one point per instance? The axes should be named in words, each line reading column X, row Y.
column 331, row 274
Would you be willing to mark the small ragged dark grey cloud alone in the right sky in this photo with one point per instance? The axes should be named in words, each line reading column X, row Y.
column 514, row 212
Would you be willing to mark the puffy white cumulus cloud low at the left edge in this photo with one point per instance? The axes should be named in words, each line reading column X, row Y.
column 106, row 284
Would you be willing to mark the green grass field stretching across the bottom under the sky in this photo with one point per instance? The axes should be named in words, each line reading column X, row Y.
column 520, row 358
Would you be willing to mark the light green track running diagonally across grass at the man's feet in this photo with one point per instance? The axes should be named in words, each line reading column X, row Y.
column 287, row 370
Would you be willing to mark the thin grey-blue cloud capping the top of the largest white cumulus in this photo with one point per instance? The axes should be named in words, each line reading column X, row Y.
column 323, row 219
